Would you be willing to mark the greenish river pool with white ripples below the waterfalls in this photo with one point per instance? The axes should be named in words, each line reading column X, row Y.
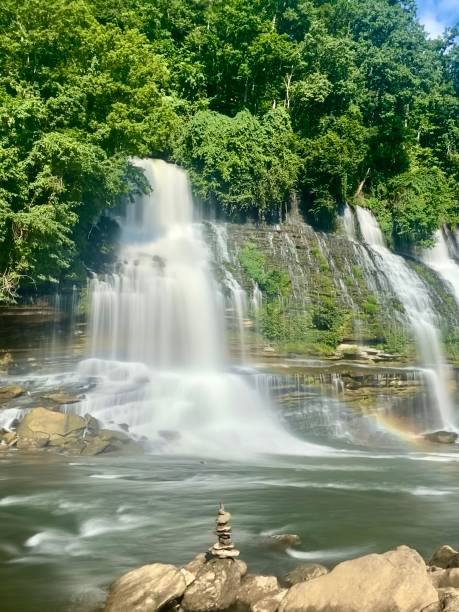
column 69, row 527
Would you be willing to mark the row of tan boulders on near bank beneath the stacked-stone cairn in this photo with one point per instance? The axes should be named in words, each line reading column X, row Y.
column 396, row 581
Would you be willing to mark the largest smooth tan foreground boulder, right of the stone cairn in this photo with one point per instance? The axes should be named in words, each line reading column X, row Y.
column 396, row 581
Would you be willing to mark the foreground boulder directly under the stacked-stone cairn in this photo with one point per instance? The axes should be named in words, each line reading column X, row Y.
column 215, row 587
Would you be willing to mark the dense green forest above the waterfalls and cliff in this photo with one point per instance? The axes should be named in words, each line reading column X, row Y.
column 335, row 100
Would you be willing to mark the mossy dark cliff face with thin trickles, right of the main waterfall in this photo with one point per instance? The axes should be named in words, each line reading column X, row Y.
column 336, row 292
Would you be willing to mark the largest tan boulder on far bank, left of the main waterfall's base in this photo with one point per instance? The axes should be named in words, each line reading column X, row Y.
column 50, row 422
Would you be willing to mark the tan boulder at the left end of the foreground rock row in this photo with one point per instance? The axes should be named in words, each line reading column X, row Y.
column 146, row 589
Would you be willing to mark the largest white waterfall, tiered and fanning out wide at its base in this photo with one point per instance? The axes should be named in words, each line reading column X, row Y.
column 157, row 338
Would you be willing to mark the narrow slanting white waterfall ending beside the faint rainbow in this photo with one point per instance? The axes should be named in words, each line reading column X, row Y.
column 418, row 308
